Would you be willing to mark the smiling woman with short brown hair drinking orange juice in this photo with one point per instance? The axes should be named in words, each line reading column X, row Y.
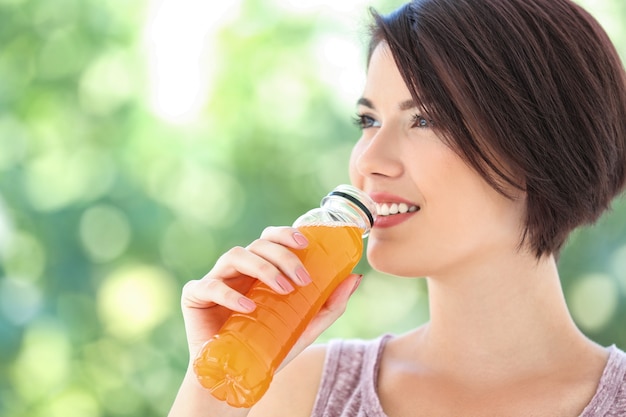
column 502, row 122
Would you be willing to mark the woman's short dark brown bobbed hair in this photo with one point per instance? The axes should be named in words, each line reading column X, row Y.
column 531, row 93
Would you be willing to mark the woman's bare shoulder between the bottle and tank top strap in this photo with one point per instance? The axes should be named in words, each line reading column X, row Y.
column 294, row 389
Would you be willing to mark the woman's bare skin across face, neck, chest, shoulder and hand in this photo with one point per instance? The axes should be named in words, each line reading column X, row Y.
column 500, row 340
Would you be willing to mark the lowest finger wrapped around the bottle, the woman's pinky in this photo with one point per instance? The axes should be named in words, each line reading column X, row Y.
column 207, row 293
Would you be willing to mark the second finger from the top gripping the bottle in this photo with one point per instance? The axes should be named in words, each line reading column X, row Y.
column 282, row 258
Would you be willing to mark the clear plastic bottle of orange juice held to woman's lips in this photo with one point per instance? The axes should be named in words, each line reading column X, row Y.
column 237, row 364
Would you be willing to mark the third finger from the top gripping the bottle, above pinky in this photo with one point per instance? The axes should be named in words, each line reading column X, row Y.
column 240, row 261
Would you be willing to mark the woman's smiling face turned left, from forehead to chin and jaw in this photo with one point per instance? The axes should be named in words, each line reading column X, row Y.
column 444, row 217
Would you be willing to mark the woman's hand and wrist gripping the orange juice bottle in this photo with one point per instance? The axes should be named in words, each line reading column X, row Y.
column 208, row 302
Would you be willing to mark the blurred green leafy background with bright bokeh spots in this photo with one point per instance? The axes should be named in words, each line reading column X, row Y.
column 140, row 140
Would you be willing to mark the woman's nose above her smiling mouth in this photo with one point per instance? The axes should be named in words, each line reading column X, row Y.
column 378, row 155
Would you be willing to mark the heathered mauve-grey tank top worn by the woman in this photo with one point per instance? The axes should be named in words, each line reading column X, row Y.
column 348, row 386
